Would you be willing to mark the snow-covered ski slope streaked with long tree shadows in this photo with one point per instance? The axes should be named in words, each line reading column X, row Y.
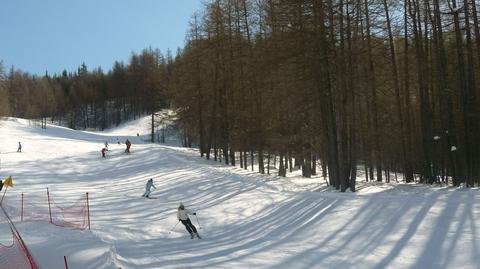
column 247, row 220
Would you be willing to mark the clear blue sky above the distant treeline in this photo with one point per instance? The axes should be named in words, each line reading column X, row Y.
column 40, row 35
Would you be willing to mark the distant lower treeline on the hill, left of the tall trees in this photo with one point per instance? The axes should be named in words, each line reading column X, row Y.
column 89, row 99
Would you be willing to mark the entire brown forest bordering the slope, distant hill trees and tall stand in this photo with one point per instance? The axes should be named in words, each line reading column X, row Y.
column 377, row 85
